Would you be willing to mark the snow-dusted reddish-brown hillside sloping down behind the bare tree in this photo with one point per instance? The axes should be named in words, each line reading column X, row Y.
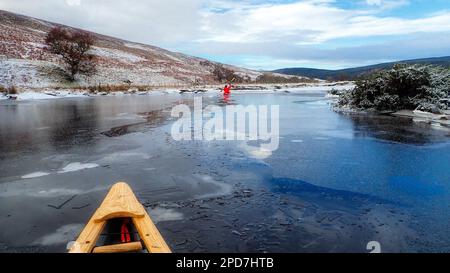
column 25, row 63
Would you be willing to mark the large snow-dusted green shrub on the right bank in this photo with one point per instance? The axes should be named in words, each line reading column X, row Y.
column 402, row 87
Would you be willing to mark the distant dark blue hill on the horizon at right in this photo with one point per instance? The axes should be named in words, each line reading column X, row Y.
column 354, row 73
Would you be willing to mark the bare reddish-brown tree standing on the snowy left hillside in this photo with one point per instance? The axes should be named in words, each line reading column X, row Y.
column 73, row 48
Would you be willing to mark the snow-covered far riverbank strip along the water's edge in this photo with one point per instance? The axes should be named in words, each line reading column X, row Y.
column 42, row 94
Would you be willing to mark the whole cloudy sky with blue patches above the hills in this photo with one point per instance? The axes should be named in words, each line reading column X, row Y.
column 265, row 34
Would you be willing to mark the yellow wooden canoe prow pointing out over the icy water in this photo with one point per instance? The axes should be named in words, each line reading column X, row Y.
column 120, row 203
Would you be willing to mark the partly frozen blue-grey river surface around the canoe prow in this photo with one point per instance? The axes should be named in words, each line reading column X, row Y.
column 335, row 183
